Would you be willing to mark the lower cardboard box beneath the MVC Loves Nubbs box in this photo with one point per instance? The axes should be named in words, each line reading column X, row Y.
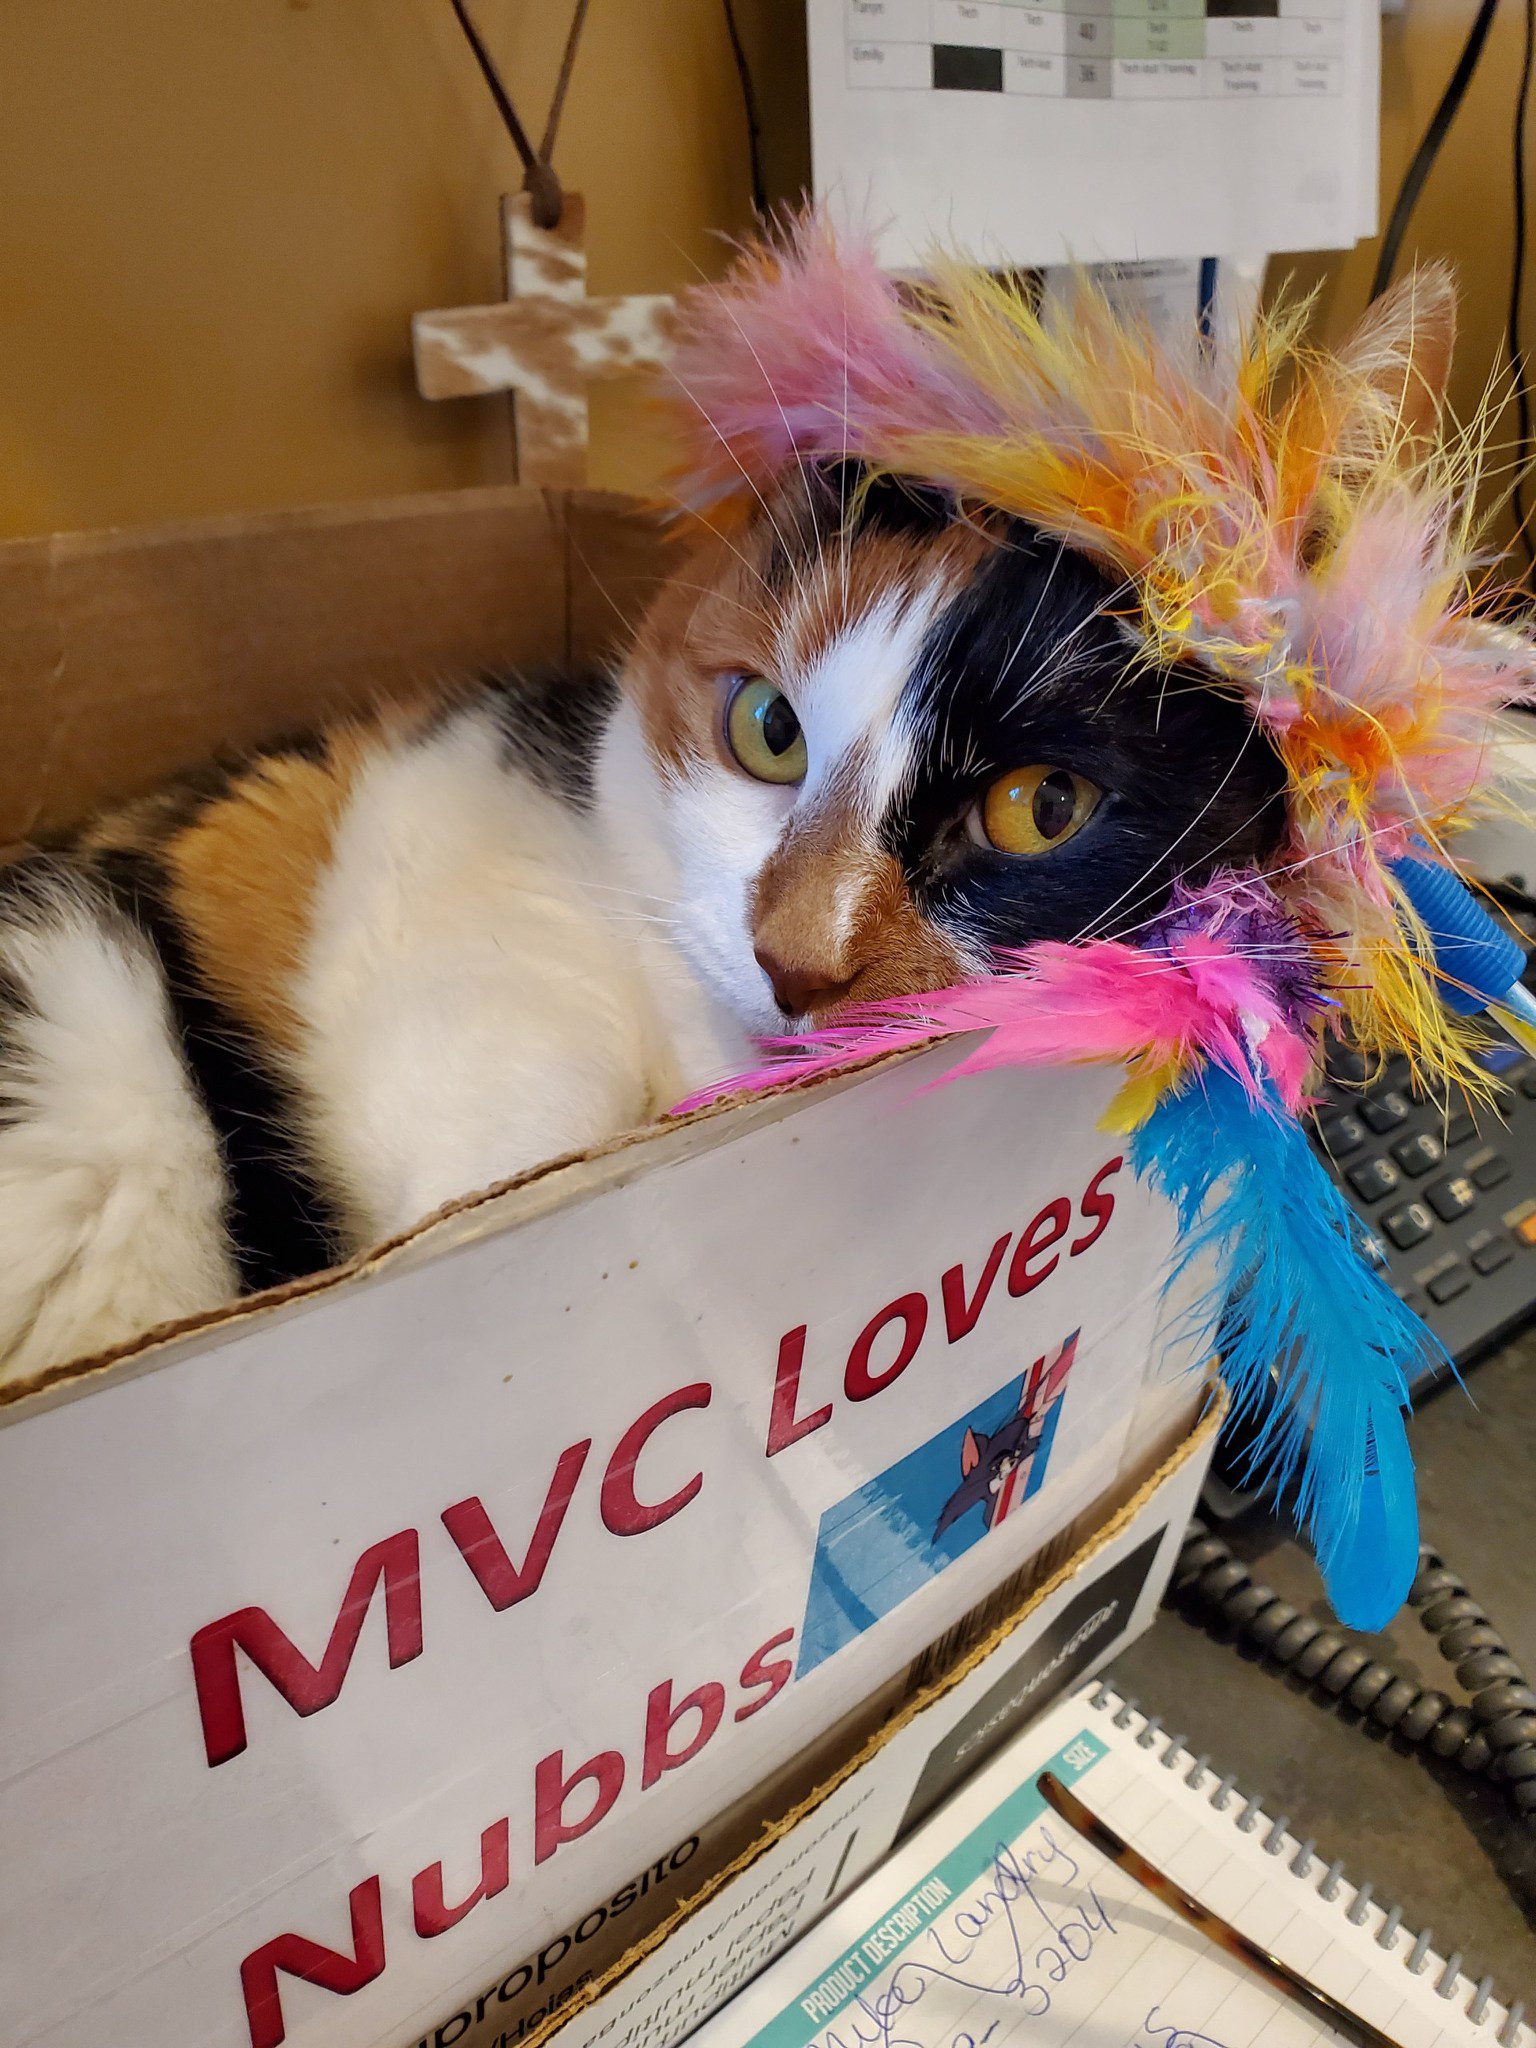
column 808, row 1854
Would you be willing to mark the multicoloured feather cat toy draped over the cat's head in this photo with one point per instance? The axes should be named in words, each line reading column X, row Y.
column 1295, row 529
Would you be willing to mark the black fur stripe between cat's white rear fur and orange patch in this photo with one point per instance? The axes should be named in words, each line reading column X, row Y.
column 280, row 1222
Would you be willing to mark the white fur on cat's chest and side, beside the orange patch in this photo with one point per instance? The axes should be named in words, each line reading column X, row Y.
column 490, row 978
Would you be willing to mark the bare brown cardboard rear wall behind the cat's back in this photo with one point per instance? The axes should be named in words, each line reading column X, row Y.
column 130, row 656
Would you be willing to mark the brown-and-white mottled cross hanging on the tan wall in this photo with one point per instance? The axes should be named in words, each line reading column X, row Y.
column 544, row 345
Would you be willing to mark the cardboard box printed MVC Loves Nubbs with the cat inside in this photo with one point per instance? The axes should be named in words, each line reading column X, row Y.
column 376, row 1631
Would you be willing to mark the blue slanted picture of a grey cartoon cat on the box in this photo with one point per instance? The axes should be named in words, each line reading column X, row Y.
column 898, row 1531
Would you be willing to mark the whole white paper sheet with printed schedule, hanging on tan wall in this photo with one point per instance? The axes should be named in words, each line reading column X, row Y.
column 1037, row 132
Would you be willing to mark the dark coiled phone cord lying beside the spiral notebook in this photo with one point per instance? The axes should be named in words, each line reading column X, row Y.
column 1494, row 1734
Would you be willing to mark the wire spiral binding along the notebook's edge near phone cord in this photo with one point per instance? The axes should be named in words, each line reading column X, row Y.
column 1480, row 2000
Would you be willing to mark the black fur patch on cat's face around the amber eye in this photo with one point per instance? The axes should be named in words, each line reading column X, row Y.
column 1031, row 667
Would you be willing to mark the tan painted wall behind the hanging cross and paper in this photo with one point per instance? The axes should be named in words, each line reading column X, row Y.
column 220, row 216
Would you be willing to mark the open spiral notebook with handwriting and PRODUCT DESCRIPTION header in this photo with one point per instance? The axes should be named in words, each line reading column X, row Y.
column 998, row 1926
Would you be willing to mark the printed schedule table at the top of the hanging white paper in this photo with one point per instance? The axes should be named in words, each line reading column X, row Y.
column 1099, row 50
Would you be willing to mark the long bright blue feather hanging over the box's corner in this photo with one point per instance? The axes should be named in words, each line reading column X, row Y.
column 1318, row 1353
